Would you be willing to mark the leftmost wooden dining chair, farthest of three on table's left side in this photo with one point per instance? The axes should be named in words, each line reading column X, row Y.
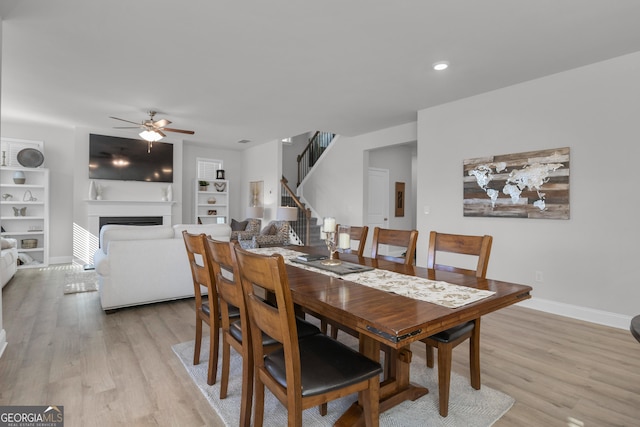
column 207, row 310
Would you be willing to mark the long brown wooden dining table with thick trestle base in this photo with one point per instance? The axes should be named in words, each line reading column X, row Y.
column 384, row 316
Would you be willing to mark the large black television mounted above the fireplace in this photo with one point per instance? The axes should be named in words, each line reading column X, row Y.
column 127, row 159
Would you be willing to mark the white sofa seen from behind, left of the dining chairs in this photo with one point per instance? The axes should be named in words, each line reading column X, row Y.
column 145, row 264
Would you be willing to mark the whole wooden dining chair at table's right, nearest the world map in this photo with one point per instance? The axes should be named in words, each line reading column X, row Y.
column 477, row 247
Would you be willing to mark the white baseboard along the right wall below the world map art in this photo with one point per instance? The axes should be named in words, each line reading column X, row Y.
column 599, row 317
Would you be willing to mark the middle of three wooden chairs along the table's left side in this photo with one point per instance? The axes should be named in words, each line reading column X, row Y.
column 234, row 332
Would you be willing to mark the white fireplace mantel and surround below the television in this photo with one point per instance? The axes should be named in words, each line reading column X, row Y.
column 105, row 208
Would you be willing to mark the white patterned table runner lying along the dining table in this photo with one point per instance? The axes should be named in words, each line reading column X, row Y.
column 436, row 292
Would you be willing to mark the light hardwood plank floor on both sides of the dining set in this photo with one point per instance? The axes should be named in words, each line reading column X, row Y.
column 119, row 369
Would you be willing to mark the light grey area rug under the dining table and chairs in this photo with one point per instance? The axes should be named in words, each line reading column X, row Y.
column 467, row 407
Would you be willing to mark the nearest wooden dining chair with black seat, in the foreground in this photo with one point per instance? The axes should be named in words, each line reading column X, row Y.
column 304, row 372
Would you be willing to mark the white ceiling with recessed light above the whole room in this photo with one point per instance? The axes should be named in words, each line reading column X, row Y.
column 261, row 70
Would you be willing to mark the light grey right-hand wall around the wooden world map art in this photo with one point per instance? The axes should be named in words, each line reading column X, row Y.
column 588, row 262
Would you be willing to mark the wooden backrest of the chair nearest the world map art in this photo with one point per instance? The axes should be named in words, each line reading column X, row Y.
column 479, row 246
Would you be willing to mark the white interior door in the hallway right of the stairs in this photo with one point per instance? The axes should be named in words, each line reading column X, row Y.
column 378, row 204
